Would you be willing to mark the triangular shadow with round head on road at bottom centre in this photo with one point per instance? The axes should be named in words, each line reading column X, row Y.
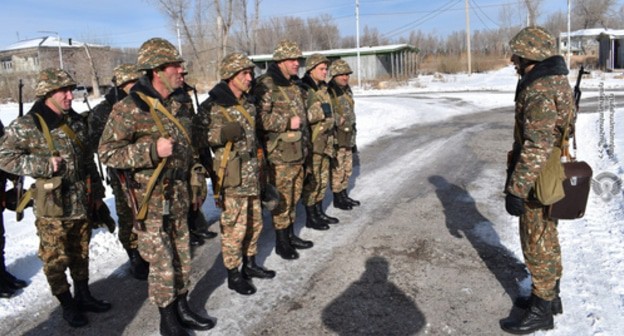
column 373, row 305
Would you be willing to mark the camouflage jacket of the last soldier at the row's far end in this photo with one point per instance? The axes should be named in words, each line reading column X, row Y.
column 344, row 110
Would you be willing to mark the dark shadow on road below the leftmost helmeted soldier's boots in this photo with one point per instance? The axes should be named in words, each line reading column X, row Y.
column 126, row 294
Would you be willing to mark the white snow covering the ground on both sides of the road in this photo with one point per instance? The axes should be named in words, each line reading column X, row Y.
column 593, row 247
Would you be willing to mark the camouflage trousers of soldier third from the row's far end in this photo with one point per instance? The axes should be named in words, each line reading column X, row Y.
column 288, row 179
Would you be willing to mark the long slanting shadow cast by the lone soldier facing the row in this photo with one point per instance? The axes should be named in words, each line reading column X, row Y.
column 464, row 220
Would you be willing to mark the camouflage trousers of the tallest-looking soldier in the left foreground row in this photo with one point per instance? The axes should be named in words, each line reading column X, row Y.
column 165, row 244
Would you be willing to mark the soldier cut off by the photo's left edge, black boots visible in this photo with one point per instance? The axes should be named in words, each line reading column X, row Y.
column 9, row 284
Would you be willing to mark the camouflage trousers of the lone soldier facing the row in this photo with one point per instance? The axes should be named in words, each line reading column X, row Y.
column 541, row 250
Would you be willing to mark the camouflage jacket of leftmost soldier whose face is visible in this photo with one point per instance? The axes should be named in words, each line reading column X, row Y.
column 24, row 151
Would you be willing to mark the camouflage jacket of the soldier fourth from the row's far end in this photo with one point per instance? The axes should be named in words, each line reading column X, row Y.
column 208, row 124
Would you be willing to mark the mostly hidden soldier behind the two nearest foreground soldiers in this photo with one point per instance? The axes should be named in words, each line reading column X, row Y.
column 124, row 78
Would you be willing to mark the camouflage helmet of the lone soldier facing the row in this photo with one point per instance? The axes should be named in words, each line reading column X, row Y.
column 533, row 43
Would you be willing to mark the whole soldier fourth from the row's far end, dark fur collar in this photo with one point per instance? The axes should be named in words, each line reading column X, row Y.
column 227, row 123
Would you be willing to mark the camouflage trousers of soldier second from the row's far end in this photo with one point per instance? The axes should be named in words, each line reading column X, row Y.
column 316, row 180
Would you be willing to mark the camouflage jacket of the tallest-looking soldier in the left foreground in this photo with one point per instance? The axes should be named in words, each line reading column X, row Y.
column 130, row 135
